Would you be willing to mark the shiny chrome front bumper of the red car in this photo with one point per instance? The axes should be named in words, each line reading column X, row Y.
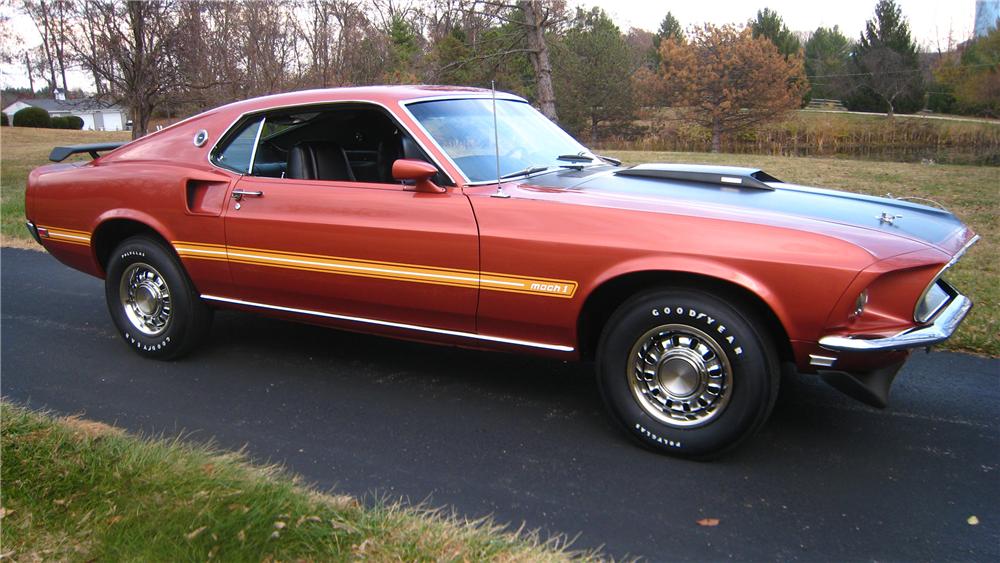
column 939, row 330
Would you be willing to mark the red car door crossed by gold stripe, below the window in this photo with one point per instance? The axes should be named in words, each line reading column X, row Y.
column 367, row 250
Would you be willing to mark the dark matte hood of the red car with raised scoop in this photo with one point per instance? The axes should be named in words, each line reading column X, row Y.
column 814, row 209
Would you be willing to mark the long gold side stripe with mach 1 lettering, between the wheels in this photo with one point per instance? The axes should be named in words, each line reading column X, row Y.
column 382, row 270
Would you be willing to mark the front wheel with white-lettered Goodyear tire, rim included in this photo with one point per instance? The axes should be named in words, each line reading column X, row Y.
column 686, row 373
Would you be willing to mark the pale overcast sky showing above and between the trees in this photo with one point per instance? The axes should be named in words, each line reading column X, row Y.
column 932, row 22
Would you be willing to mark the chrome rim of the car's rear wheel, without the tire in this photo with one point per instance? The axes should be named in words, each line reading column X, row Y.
column 145, row 298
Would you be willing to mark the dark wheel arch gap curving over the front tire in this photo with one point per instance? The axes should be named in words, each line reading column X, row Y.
column 606, row 297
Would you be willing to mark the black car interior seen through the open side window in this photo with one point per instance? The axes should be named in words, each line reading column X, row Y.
column 345, row 143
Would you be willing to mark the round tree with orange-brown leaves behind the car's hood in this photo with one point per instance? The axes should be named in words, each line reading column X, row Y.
column 725, row 80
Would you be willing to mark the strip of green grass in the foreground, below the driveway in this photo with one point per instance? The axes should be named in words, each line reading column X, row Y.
column 84, row 491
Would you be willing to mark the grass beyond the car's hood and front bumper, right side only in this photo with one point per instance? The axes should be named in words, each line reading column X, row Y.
column 971, row 192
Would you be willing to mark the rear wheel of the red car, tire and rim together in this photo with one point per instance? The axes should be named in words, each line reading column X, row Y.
column 152, row 302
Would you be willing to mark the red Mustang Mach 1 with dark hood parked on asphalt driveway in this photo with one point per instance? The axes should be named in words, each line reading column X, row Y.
column 451, row 216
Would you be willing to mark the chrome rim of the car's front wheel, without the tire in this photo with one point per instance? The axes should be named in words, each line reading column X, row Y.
column 679, row 375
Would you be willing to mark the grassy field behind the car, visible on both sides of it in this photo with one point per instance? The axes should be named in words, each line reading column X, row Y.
column 972, row 192
